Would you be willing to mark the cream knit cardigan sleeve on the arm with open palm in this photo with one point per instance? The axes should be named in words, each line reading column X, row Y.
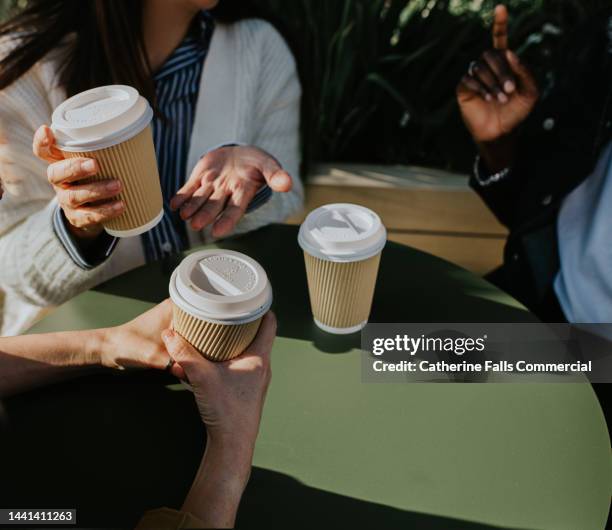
column 277, row 122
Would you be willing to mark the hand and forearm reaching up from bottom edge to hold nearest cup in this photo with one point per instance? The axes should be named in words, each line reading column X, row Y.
column 230, row 397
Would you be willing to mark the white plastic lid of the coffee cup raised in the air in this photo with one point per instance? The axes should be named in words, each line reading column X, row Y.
column 100, row 118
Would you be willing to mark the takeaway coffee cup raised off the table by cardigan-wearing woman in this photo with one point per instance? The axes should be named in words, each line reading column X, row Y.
column 112, row 125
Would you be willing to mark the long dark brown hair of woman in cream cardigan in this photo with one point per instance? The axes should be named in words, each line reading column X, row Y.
column 108, row 45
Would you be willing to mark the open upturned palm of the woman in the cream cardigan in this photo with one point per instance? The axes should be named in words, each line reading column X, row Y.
column 222, row 185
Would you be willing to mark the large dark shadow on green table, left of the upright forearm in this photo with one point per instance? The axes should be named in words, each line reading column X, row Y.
column 110, row 446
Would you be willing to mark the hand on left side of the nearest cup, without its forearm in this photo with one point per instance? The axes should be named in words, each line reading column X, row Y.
column 138, row 343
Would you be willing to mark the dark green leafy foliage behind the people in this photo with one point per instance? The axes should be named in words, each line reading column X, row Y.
column 379, row 75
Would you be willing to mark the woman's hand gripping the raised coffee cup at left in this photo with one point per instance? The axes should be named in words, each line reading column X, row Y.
column 86, row 205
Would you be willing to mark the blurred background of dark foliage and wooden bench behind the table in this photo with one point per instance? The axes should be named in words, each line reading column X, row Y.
column 380, row 123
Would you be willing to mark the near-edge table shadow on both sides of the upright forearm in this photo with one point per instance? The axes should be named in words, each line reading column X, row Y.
column 115, row 446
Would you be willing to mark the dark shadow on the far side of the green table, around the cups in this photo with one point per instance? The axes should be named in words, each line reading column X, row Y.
column 412, row 287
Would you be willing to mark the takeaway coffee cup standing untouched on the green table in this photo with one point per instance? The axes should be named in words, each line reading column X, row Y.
column 342, row 244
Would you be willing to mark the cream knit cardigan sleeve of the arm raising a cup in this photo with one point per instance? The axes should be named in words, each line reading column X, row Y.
column 34, row 266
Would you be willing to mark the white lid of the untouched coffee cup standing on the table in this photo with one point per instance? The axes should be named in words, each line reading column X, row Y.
column 342, row 232
